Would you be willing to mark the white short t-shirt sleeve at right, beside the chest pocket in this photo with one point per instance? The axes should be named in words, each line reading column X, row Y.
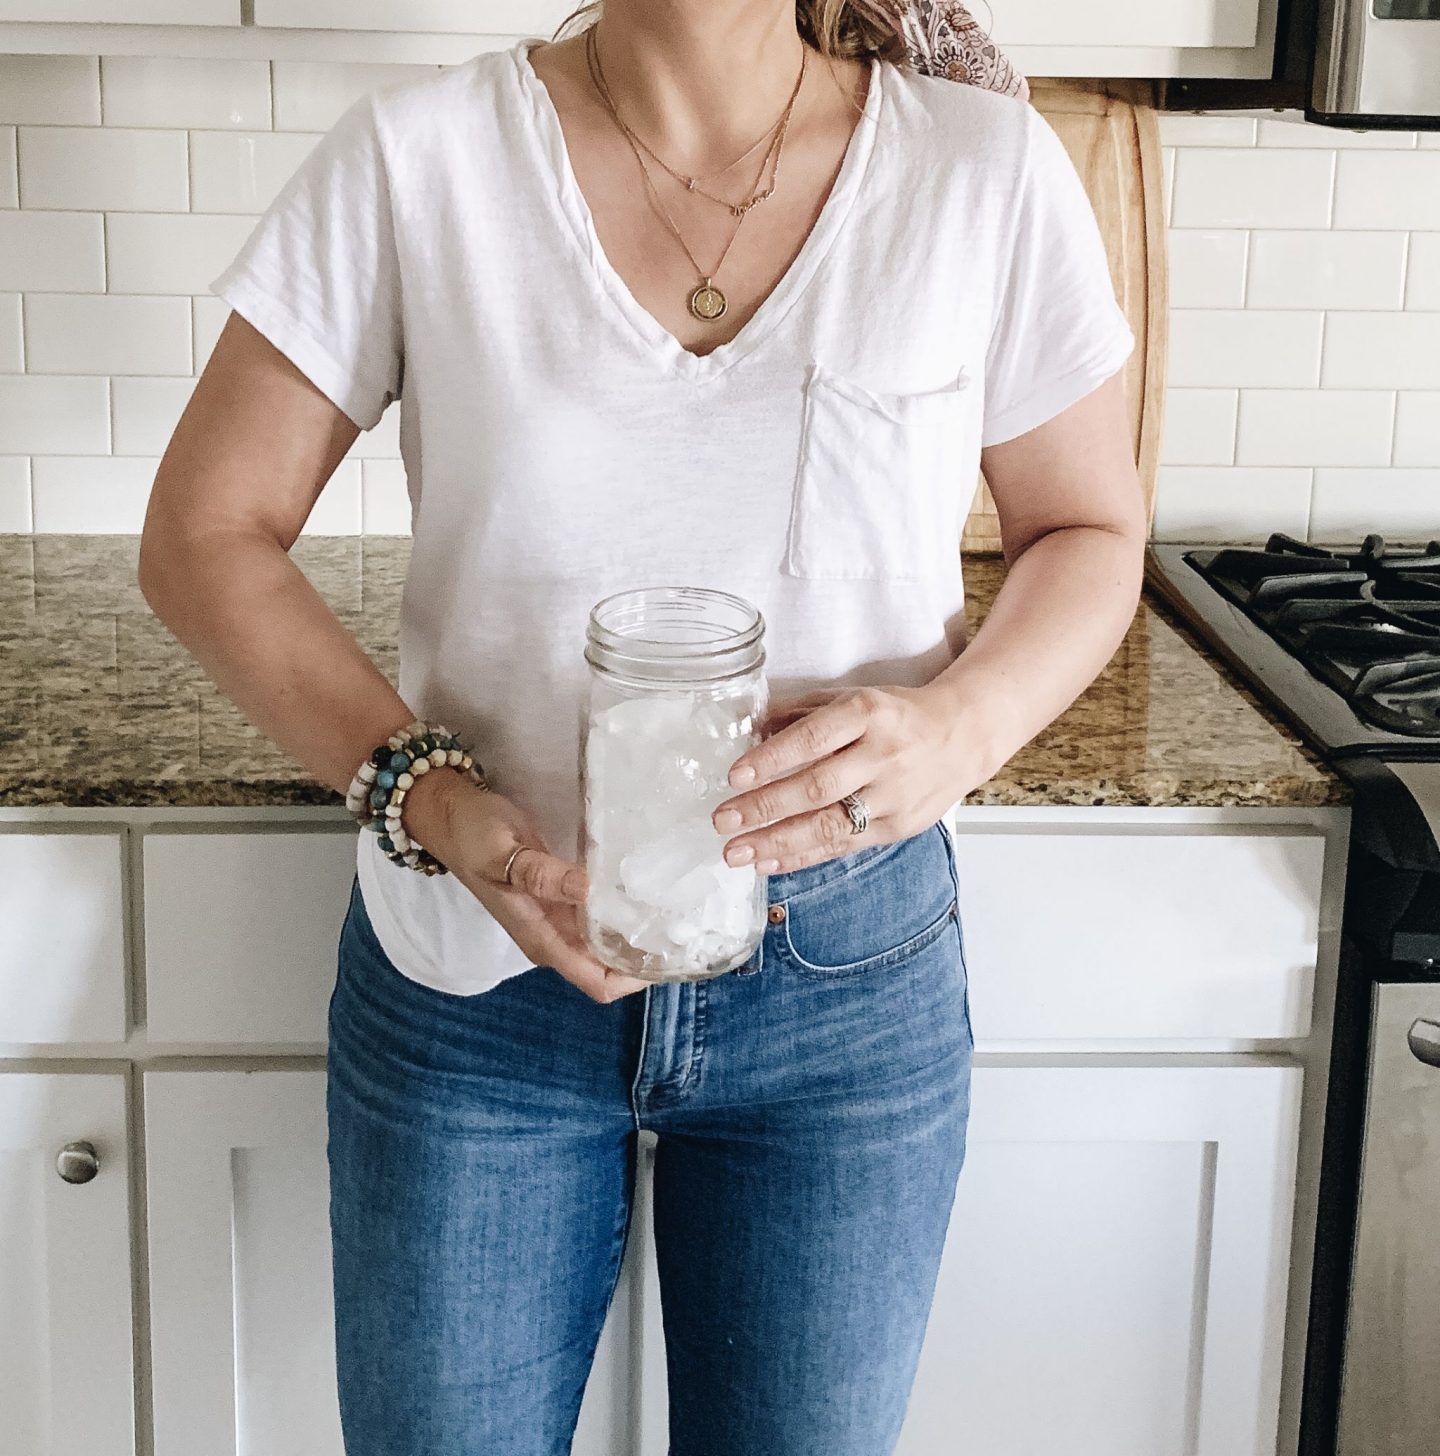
column 1059, row 331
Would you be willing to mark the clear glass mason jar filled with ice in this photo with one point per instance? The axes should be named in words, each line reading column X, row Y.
column 676, row 694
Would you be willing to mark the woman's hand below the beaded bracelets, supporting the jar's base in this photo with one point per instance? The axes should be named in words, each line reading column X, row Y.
column 474, row 834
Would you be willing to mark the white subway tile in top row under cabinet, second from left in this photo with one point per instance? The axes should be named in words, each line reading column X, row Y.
column 142, row 91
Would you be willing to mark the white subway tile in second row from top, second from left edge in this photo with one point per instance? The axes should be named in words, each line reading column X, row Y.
column 103, row 168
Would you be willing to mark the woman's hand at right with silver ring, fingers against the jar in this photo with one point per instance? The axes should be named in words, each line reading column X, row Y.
column 905, row 751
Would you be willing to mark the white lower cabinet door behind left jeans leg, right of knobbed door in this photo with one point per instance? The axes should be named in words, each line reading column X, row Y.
column 241, row 1295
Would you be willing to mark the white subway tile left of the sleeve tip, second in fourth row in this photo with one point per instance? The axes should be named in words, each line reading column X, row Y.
column 108, row 334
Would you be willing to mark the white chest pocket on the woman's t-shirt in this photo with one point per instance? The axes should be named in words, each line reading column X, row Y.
column 879, row 487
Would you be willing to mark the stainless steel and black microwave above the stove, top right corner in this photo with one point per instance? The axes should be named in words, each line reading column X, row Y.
column 1346, row 63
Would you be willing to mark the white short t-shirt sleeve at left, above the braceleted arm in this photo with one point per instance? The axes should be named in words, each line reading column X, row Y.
column 320, row 276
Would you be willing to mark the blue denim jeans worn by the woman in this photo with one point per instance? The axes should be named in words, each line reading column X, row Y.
column 810, row 1112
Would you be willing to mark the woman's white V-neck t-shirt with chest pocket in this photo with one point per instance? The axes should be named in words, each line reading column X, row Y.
column 560, row 445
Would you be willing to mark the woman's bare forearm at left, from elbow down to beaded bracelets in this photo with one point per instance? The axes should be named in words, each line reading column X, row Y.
column 273, row 646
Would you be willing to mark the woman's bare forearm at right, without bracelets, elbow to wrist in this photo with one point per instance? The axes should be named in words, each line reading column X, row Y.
column 1059, row 618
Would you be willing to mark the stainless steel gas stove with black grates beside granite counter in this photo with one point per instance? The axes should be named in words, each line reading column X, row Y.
column 1348, row 646
